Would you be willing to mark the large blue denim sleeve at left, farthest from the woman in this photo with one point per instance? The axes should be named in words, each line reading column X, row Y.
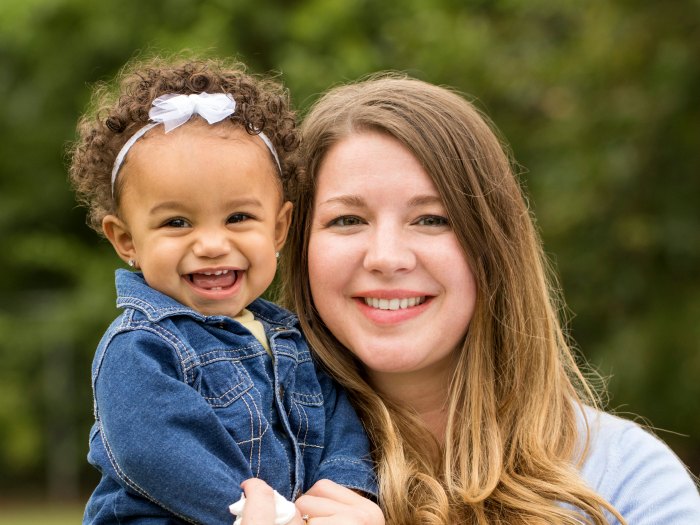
column 162, row 438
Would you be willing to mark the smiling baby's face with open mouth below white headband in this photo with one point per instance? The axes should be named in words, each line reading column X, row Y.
column 204, row 214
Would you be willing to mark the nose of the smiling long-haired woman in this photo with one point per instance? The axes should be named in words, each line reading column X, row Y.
column 389, row 250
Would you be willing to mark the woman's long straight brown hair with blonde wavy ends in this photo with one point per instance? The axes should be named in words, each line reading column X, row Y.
column 510, row 450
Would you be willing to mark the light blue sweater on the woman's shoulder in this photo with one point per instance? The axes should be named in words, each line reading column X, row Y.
column 638, row 474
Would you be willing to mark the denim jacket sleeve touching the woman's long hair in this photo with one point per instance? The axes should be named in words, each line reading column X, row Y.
column 346, row 458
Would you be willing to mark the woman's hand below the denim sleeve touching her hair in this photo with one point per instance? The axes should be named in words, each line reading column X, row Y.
column 328, row 503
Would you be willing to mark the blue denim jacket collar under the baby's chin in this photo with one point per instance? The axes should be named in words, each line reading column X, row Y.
column 133, row 292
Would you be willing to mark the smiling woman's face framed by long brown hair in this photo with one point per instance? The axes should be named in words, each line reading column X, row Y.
column 387, row 273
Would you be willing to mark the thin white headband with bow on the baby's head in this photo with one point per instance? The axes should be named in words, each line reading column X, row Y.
column 174, row 110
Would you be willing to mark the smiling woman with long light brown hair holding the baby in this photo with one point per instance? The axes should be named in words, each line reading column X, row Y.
column 422, row 286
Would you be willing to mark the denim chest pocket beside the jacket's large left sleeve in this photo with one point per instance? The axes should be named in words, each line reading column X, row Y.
column 223, row 381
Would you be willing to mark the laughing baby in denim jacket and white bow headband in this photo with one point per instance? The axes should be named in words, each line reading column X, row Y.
column 200, row 384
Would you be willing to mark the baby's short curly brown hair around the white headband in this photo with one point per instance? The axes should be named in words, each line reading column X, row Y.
column 119, row 109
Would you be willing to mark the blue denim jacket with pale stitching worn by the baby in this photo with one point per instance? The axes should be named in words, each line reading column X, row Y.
column 188, row 406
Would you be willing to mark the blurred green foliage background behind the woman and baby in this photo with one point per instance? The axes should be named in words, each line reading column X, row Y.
column 598, row 99
